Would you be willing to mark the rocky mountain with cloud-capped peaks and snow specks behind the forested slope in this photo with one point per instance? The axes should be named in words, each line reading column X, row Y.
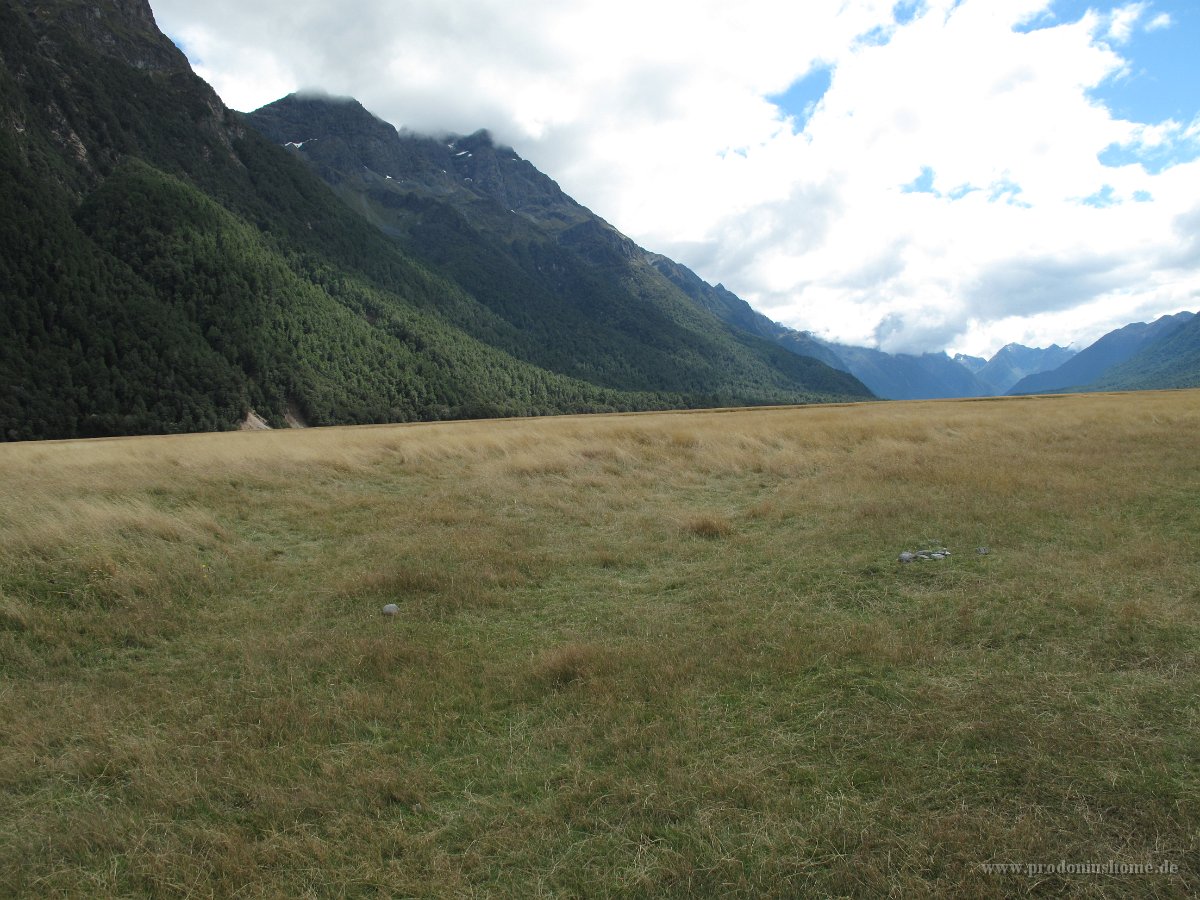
column 568, row 291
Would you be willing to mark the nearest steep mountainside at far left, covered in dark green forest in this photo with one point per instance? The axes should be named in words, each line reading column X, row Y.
column 165, row 268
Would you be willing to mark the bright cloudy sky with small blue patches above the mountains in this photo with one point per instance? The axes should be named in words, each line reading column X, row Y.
column 915, row 176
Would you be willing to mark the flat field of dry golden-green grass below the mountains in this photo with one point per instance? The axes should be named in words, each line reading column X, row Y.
column 645, row 656
